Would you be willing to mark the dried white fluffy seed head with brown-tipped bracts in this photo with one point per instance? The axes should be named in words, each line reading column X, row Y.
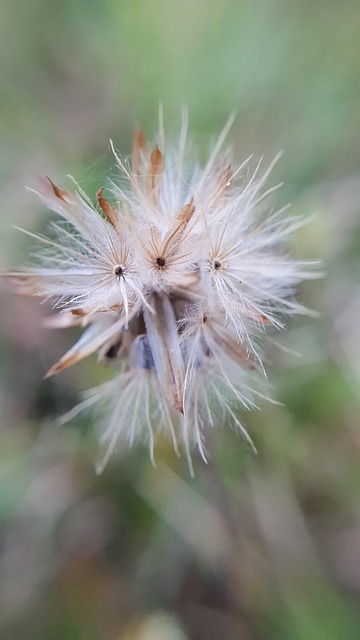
column 175, row 280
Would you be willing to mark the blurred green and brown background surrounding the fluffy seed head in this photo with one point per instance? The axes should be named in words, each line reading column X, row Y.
column 264, row 547
